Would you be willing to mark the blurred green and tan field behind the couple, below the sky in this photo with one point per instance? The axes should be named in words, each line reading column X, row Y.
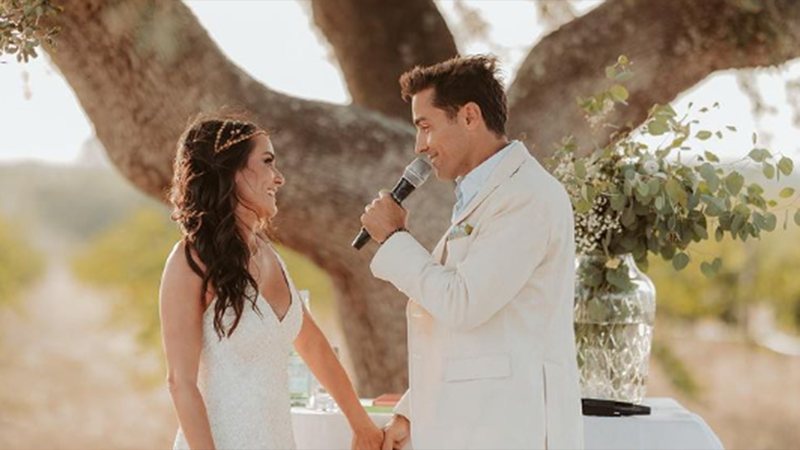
column 81, row 254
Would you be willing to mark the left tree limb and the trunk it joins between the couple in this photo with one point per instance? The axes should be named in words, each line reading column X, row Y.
column 139, row 85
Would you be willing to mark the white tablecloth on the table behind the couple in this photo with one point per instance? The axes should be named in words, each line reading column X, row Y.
column 669, row 426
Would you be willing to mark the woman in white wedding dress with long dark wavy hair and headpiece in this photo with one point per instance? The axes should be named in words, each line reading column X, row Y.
column 230, row 313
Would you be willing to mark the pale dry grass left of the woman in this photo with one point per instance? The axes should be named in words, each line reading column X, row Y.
column 70, row 381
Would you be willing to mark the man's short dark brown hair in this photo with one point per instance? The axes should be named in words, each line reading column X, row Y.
column 461, row 80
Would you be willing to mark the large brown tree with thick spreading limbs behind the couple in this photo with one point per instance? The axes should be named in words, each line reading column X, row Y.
column 140, row 68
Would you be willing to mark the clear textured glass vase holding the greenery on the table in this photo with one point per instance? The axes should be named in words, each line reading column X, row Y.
column 613, row 330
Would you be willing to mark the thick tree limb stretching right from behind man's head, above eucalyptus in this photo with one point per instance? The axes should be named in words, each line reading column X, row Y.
column 674, row 44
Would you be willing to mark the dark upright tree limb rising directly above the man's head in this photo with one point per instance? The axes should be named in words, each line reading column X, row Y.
column 375, row 41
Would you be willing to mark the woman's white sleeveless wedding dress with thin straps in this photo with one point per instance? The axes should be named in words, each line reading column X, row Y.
column 243, row 379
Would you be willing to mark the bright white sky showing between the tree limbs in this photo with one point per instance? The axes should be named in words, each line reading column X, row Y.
column 41, row 119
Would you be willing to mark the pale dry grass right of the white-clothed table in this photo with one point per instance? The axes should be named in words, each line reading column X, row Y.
column 749, row 396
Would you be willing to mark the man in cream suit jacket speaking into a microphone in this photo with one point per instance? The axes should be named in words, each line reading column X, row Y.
column 490, row 335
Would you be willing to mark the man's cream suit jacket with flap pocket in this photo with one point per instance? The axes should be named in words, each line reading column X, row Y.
column 490, row 329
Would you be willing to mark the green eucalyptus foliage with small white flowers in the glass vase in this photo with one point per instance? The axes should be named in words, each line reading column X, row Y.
column 630, row 197
